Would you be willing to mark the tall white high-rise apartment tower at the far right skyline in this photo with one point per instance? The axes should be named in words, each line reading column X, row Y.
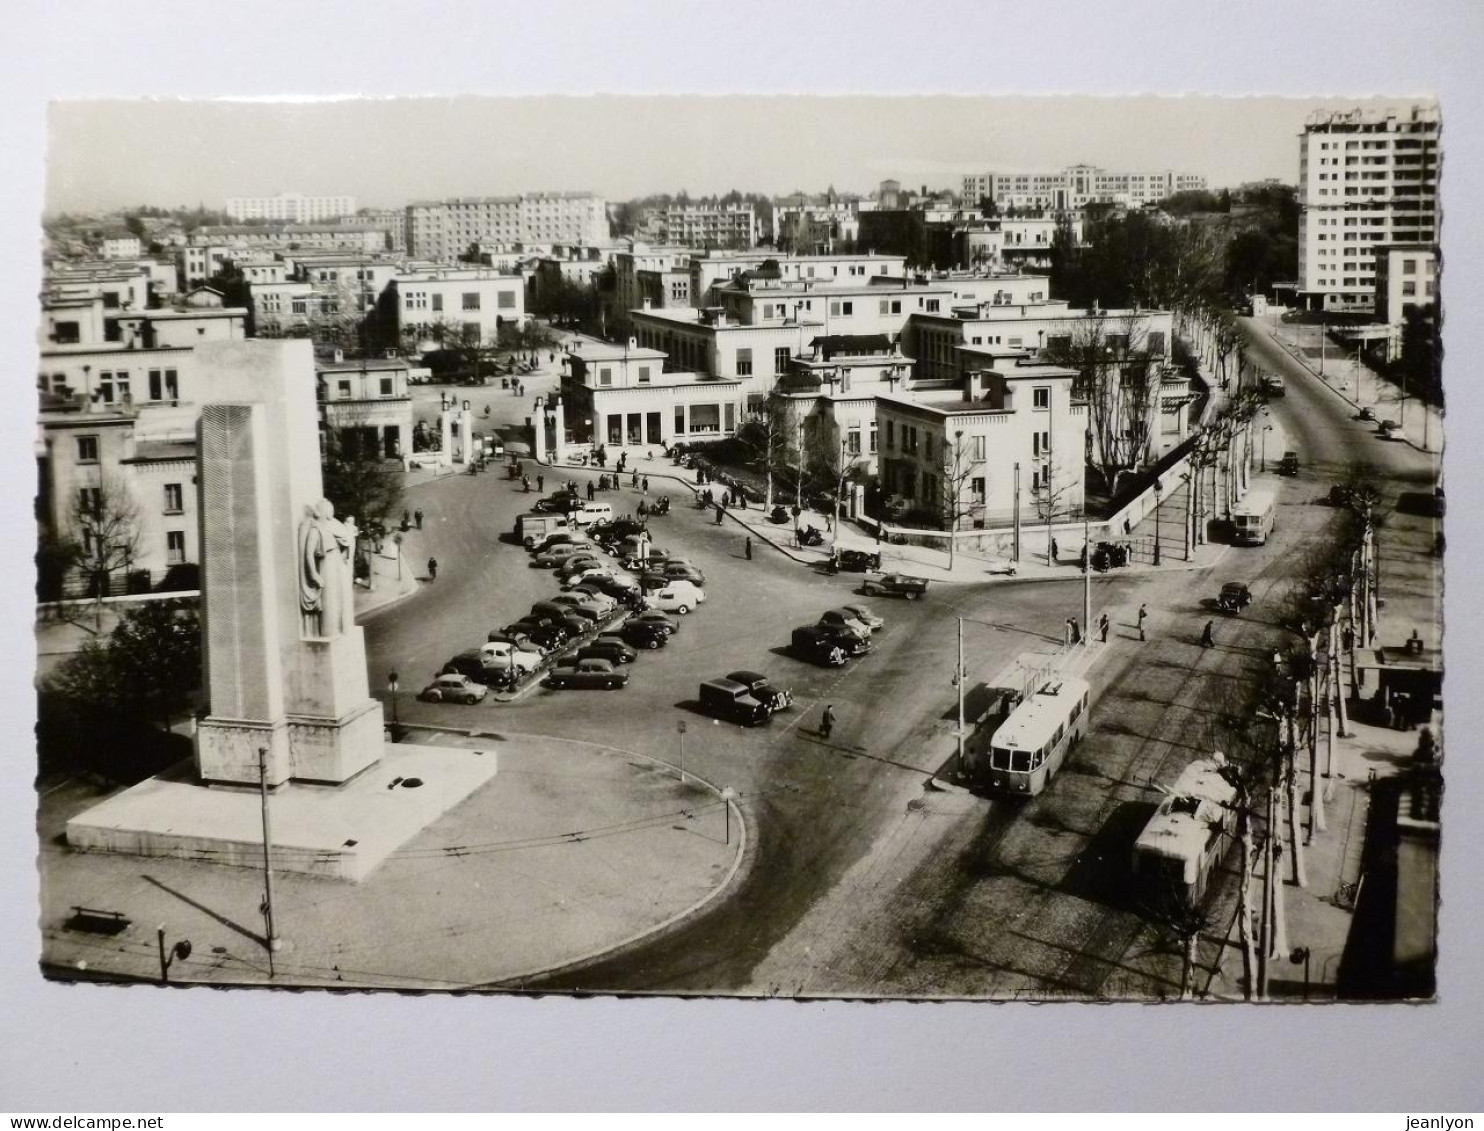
column 1366, row 180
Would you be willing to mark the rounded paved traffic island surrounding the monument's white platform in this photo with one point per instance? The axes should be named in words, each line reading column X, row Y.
column 572, row 851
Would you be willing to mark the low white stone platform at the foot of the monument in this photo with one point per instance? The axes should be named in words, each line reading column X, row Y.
column 338, row 832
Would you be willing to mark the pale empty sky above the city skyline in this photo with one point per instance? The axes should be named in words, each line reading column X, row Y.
column 393, row 151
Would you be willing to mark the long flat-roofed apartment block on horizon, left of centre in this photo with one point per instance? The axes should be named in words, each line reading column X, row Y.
column 443, row 231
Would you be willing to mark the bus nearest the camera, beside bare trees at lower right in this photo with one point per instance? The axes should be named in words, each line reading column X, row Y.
column 1188, row 835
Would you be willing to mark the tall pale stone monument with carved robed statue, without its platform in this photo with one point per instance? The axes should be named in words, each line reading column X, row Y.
column 284, row 658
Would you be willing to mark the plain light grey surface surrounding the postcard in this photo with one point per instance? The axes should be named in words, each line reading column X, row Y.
column 142, row 1050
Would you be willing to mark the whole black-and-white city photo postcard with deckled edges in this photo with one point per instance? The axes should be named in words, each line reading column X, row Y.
column 884, row 550
